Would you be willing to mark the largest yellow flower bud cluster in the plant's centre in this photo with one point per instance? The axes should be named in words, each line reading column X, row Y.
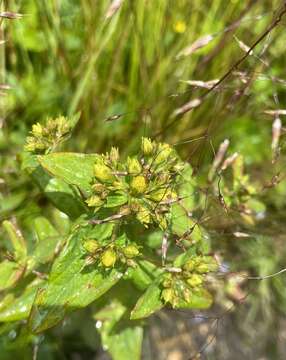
column 143, row 186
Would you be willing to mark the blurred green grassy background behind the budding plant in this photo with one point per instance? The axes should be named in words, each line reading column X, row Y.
column 65, row 56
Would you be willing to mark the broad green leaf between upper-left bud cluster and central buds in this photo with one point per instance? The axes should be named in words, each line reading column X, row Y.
column 74, row 169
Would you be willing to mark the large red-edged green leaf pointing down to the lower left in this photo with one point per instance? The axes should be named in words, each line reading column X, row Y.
column 71, row 285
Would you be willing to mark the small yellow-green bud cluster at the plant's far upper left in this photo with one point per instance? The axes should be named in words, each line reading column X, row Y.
column 45, row 138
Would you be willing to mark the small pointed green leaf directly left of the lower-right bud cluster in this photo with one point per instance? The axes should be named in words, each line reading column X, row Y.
column 148, row 303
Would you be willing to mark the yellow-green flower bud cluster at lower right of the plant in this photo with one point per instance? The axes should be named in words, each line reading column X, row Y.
column 179, row 286
